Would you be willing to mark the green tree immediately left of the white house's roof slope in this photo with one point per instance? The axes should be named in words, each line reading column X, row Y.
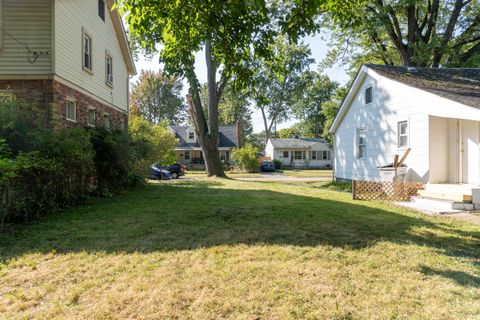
column 309, row 104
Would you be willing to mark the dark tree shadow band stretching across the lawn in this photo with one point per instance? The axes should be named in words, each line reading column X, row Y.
column 182, row 216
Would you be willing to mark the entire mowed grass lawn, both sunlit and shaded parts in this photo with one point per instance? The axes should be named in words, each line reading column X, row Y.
column 226, row 249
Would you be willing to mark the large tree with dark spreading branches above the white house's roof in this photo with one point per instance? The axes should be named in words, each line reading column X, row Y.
column 423, row 33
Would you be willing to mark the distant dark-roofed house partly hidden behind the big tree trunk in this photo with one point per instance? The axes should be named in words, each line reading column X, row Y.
column 189, row 151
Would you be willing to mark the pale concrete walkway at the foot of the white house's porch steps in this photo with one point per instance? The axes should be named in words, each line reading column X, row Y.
column 439, row 208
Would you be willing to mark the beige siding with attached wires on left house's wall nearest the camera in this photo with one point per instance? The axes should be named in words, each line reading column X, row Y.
column 30, row 22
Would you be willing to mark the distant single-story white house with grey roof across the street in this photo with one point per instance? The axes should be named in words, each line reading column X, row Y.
column 300, row 152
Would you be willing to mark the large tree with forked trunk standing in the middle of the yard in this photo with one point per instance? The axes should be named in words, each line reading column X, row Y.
column 232, row 33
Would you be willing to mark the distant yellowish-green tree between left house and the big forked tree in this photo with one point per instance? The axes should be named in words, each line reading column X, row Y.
column 156, row 97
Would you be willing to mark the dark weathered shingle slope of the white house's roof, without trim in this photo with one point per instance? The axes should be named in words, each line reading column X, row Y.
column 457, row 84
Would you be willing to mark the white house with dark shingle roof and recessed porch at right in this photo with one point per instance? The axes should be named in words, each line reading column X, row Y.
column 435, row 112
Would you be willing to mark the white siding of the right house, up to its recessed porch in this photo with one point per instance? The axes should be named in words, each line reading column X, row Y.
column 380, row 120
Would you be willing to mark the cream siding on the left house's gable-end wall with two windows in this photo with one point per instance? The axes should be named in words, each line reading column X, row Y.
column 72, row 18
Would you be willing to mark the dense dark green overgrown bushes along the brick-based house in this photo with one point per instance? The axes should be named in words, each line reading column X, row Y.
column 44, row 170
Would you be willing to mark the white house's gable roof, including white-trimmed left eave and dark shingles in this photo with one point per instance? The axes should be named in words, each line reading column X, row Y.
column 461, row 85
